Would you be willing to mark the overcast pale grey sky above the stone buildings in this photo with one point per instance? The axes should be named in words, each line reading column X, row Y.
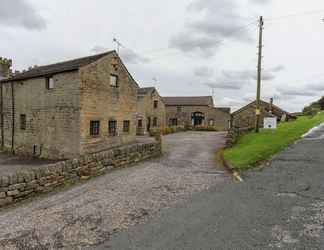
column 182, row 47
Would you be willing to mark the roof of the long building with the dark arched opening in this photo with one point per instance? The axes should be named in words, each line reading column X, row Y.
column 188, row 101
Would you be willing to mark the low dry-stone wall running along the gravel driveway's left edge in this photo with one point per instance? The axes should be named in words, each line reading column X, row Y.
column 22, row 185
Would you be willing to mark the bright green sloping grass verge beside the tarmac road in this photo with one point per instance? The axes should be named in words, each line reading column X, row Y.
column 253, row 148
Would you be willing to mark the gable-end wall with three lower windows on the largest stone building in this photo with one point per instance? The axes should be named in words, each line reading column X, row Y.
column 102, row 102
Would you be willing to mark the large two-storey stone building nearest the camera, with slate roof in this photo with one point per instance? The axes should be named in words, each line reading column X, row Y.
column 68, row 109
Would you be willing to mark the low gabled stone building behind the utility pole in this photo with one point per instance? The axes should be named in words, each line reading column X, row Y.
column 244, row 118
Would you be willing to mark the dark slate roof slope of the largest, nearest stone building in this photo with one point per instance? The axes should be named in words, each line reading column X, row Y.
column 61, row 67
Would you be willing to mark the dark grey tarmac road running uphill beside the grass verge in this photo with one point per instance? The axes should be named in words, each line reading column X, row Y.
column 278, row 207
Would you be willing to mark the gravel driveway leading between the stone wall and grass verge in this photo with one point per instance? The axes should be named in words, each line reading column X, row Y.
column 88, row 214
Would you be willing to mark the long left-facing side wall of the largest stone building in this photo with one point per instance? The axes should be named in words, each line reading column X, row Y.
column 52, row 116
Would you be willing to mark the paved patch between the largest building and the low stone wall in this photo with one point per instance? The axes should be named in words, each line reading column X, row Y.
column 11, row 163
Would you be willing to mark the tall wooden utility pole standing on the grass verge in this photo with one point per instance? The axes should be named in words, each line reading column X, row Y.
column 258, row 110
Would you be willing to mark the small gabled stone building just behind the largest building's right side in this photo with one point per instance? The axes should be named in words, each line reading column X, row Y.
column 151, row 112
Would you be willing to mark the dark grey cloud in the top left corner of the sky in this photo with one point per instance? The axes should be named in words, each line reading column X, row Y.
column 21, row 14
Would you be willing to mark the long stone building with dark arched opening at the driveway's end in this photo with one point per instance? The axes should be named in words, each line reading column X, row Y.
column 195, row 111
